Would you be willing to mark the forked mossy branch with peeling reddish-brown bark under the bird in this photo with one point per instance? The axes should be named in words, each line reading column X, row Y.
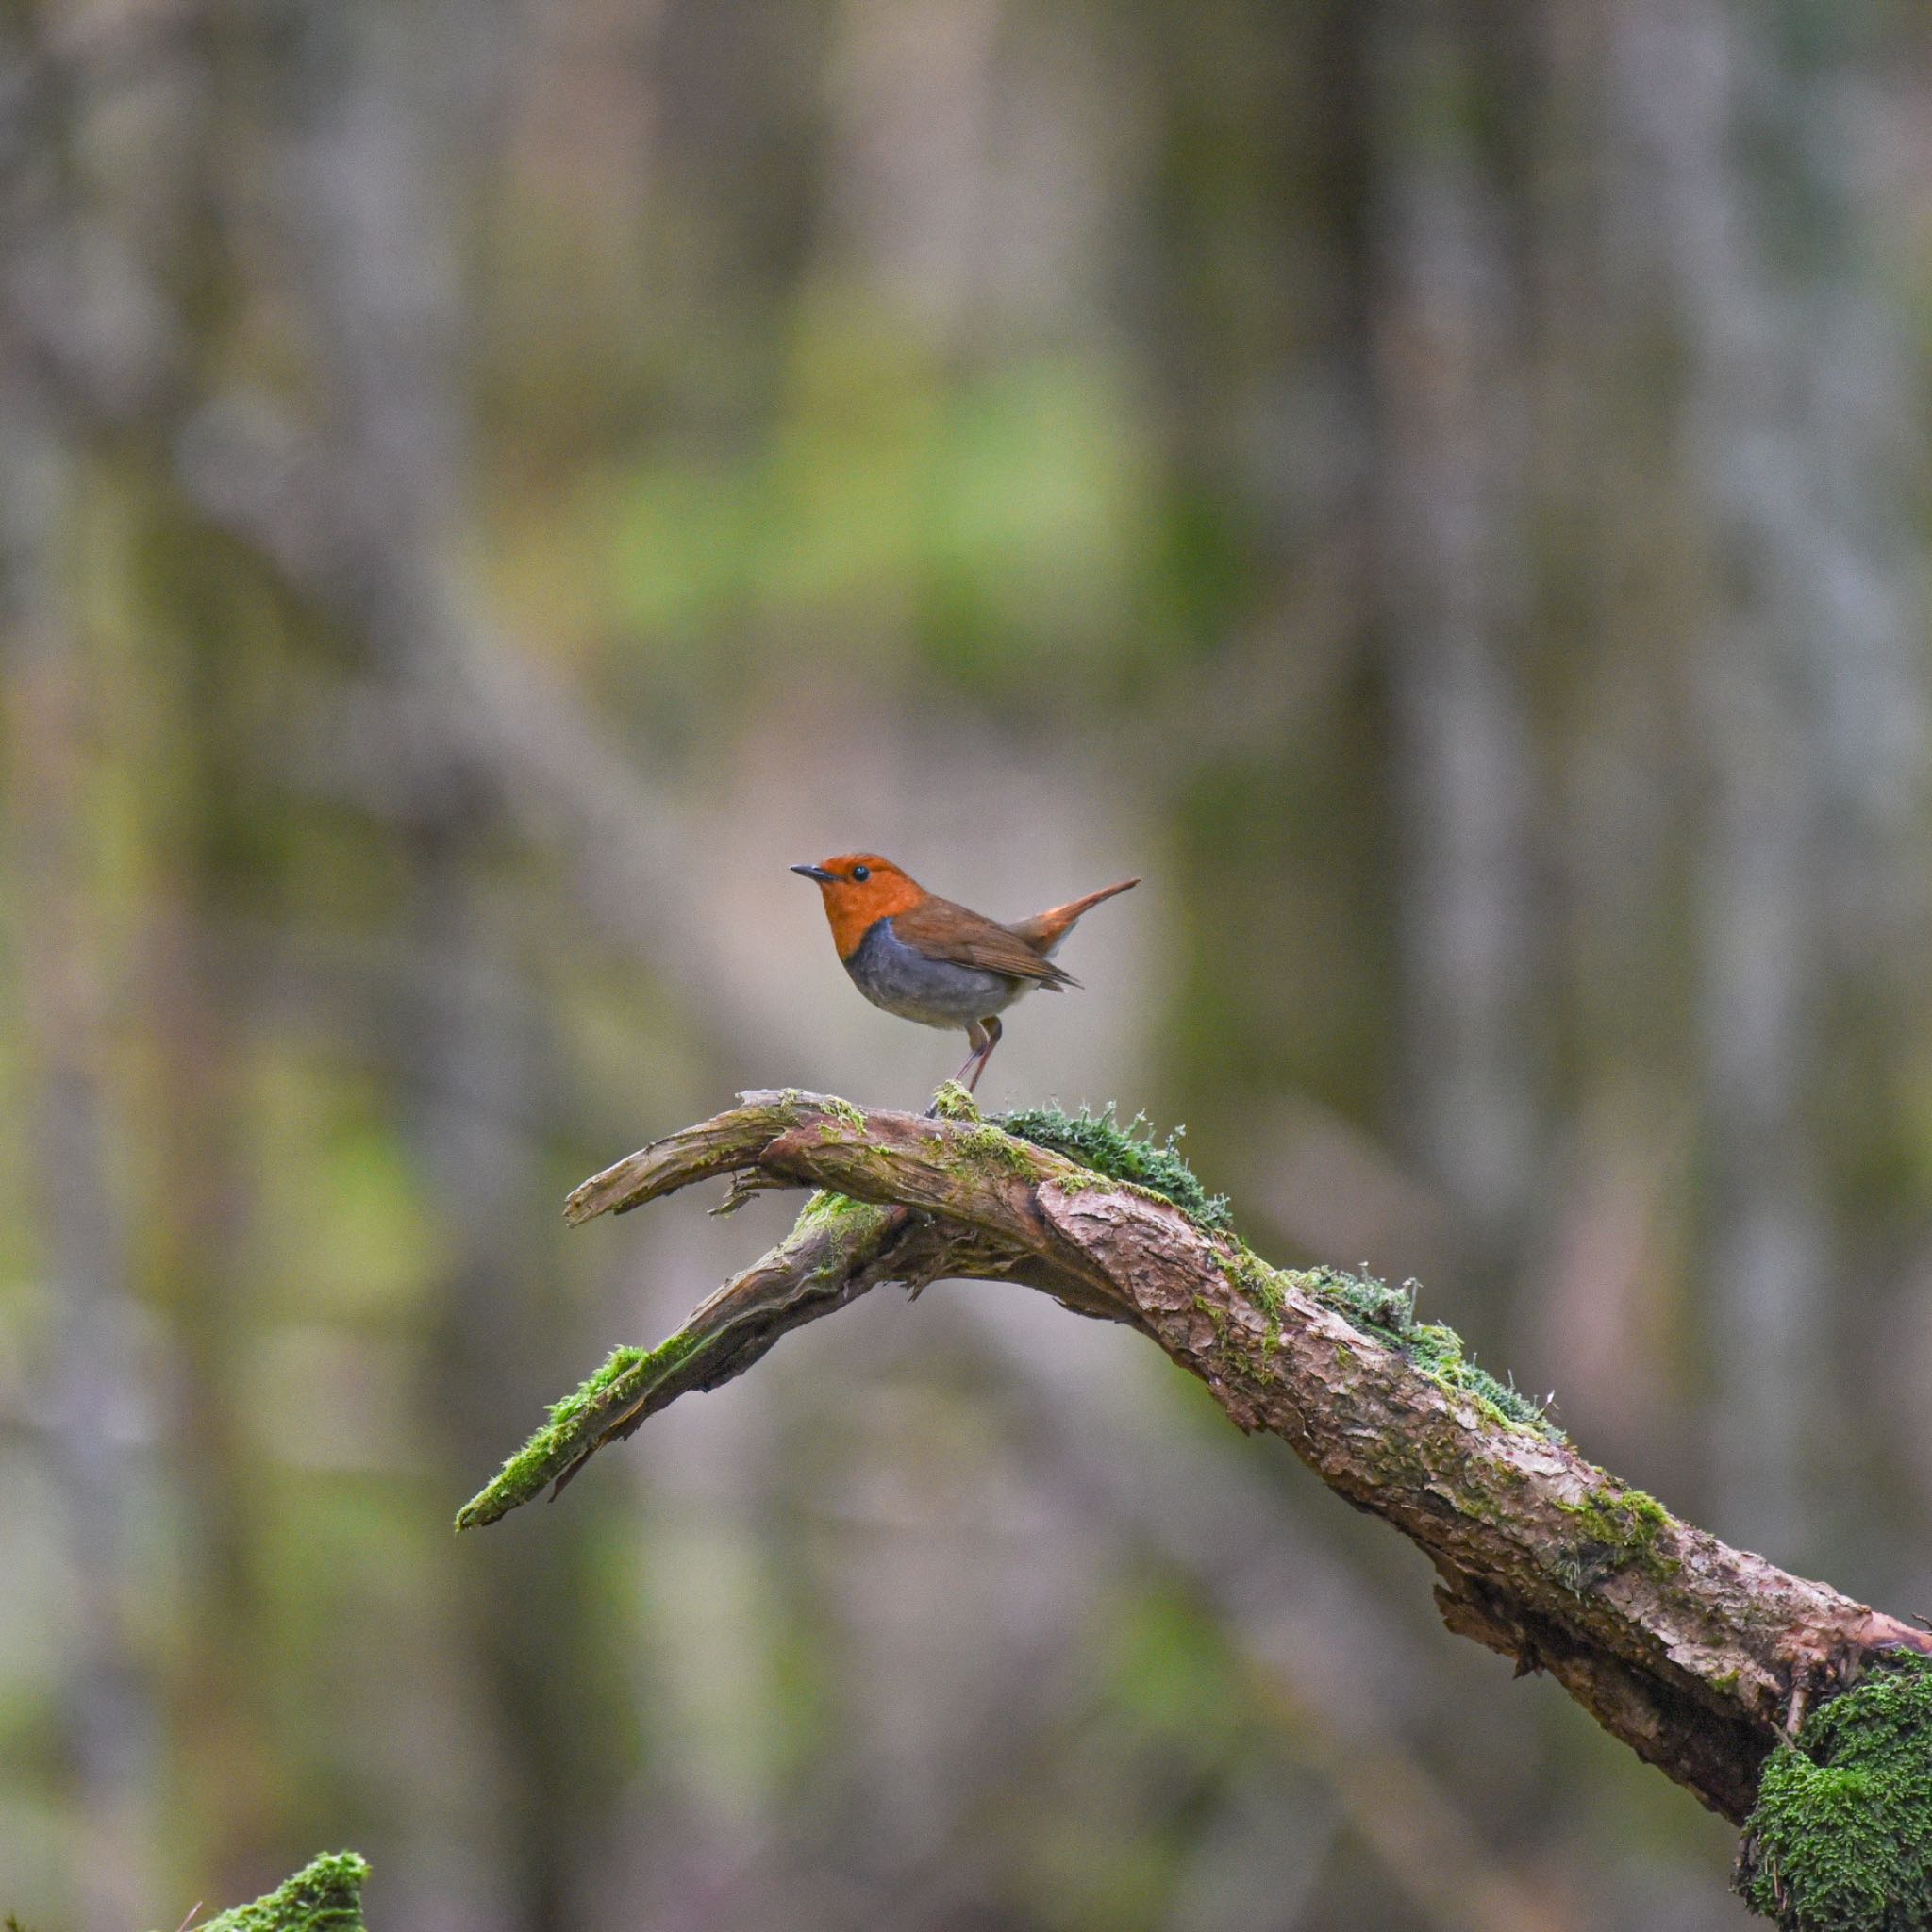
column 1699, row 1657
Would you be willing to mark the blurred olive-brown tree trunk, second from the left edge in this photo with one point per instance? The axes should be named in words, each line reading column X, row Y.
column 157, row 179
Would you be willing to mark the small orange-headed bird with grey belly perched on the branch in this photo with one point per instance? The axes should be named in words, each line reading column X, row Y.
column 936, row 963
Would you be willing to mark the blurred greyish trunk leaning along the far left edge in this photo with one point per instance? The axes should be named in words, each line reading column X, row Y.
column 96, row 1384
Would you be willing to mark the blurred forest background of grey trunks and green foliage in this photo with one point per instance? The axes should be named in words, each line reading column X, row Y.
column 488, row 484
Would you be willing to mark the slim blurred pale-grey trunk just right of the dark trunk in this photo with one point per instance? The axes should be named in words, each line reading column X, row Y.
column 1452, row 598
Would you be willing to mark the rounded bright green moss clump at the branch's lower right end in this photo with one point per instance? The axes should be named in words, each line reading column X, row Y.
column 1842, row 1836
